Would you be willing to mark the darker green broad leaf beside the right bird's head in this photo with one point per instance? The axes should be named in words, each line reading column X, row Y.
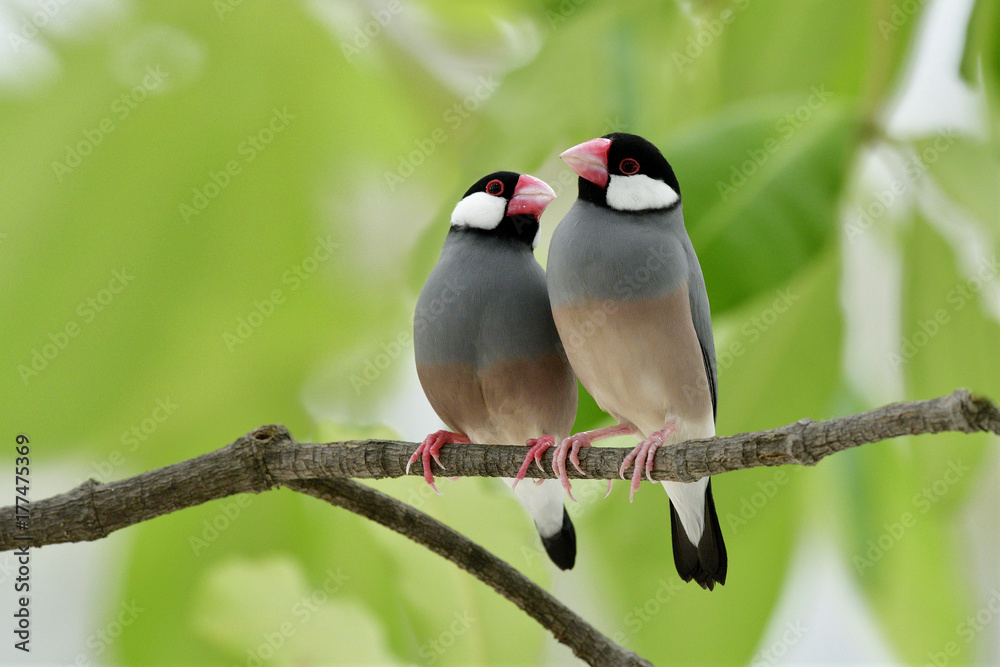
column 764, row 186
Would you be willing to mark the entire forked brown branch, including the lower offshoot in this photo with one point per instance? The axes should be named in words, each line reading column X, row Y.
column 269, row 457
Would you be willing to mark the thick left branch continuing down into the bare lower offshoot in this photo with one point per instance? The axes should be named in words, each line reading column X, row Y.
column 92, row 511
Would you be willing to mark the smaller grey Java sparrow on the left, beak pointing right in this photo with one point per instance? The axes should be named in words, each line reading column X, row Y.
column 488, row 354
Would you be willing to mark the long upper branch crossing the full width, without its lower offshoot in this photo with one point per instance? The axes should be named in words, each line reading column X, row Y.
column 262, row 460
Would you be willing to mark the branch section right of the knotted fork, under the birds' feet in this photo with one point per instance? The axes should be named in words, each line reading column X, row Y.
column 803, row 443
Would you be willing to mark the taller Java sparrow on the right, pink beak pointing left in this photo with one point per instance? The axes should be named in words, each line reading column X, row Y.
column 629, row 300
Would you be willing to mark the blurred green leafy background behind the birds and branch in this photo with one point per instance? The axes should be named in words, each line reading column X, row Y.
column 218, row 215
